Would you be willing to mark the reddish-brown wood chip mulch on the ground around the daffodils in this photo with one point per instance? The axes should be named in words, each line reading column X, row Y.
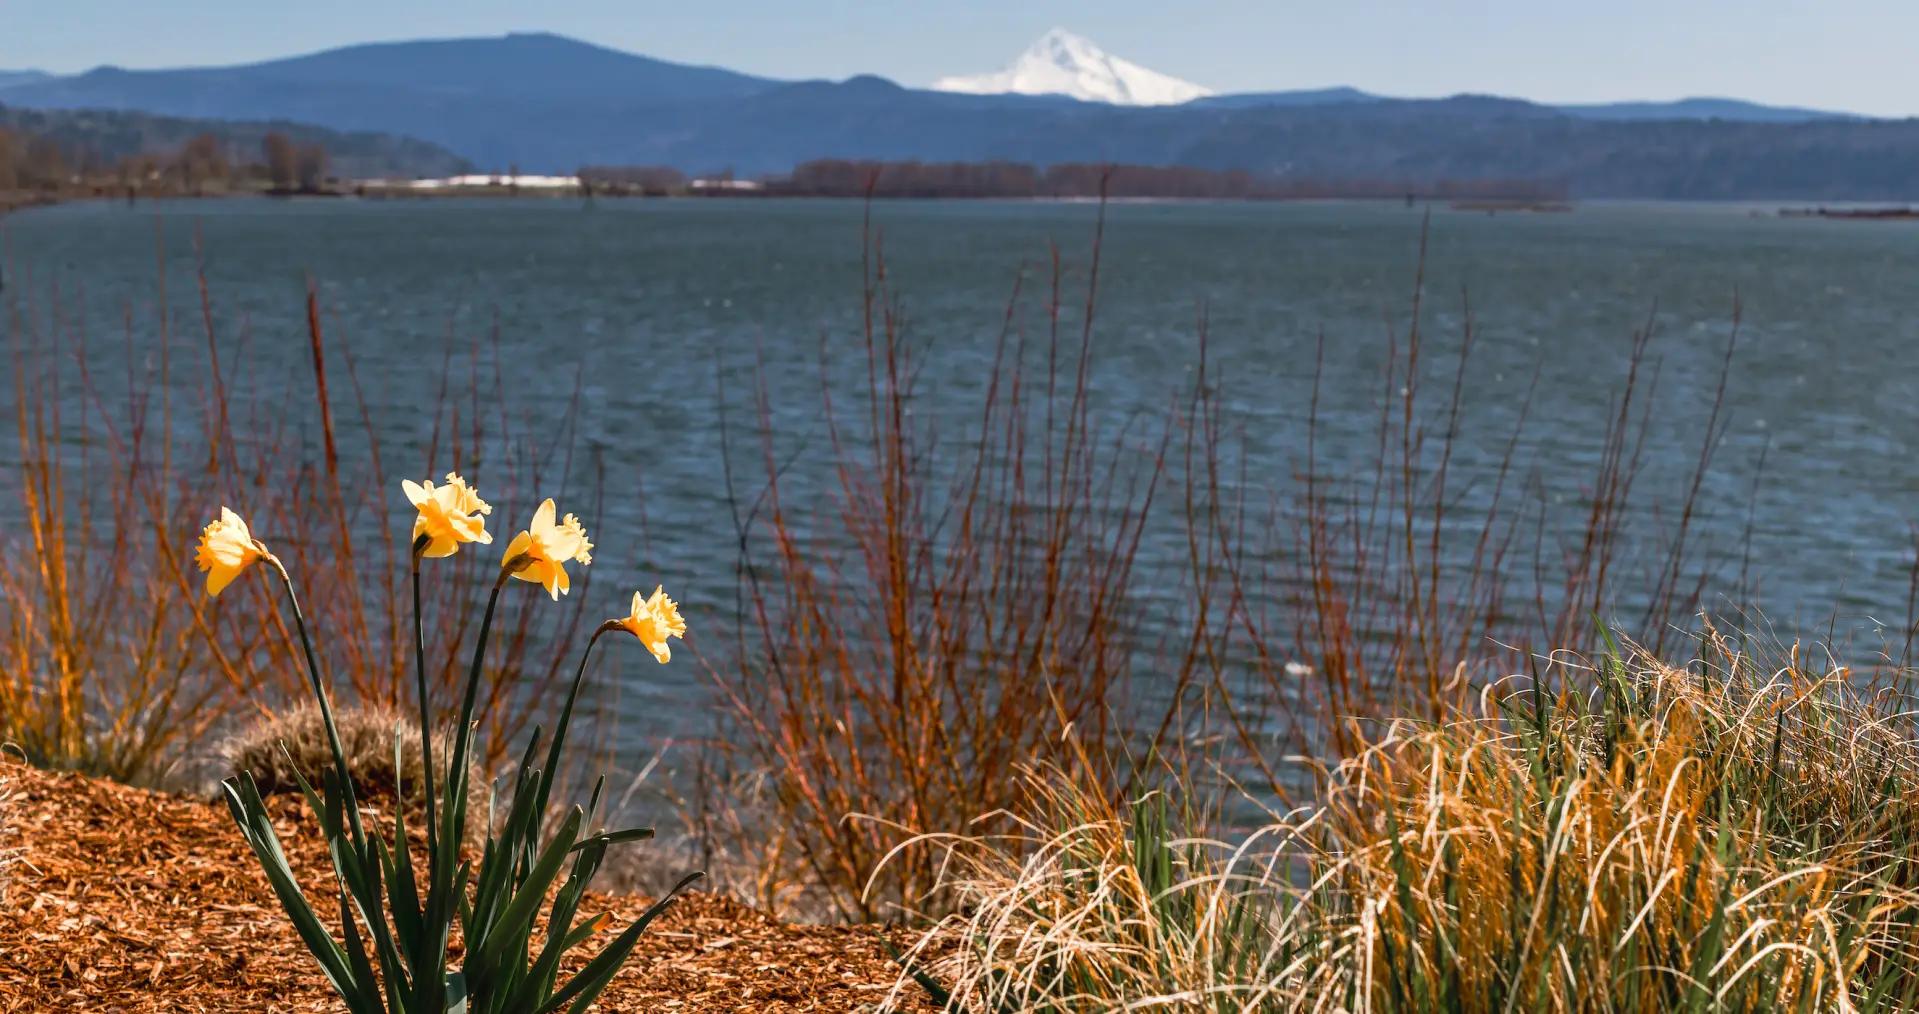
column 124, row 900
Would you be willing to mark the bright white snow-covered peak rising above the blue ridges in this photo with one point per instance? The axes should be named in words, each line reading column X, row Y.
column 1072, row 66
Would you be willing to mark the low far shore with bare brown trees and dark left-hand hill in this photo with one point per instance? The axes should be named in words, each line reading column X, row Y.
column 53, row 157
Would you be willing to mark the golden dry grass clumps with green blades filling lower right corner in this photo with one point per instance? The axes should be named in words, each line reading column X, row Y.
column 1640, row 838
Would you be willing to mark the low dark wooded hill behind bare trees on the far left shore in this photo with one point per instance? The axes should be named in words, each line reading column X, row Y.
column 110, row 135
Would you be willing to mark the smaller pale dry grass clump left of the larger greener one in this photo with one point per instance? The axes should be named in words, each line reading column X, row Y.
column 1078, row 904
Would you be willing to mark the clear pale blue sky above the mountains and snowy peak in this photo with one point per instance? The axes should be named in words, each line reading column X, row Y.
column 1837, row 55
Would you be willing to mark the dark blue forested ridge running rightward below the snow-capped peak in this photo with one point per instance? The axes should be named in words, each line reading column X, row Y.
column 1415, row 141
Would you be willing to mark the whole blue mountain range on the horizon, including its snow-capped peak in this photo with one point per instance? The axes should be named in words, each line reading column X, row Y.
column 546, row 103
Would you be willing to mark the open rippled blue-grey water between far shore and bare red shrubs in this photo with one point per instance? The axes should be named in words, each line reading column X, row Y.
column 652, row 308
